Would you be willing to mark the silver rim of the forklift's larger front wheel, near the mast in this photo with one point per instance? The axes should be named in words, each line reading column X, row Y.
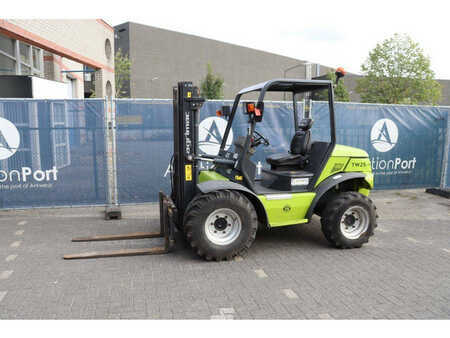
column 223, row 226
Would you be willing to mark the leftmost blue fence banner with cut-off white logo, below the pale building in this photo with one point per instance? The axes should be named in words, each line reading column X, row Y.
column 52, row 153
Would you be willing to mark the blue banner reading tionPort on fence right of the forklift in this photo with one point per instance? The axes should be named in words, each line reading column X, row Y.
column 406, row 144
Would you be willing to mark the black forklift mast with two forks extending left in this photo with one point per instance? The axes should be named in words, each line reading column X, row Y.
column 186, row 106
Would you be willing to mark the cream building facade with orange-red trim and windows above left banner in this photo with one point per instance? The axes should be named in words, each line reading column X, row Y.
column 60, row 50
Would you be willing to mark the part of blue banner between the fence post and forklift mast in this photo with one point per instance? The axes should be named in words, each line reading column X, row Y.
column 144, row 142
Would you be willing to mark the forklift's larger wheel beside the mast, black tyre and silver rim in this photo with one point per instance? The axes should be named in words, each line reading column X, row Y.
column 220, row 225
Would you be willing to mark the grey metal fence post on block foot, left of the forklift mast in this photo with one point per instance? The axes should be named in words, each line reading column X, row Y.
column 112, row 210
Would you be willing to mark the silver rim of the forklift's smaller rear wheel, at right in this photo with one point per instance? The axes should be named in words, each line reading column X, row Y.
column 354, row 222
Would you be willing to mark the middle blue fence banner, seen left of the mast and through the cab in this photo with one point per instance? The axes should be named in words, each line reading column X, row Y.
column 145, row 141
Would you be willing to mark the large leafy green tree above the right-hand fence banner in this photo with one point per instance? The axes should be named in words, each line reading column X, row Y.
column 398, row 72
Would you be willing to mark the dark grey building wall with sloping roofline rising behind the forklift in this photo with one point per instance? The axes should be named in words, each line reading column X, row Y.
column 171, row 57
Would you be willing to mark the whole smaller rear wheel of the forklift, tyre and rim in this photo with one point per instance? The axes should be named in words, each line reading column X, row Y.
column 349, row 220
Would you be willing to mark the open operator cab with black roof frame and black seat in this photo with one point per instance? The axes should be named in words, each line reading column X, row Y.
column 297, row 167
